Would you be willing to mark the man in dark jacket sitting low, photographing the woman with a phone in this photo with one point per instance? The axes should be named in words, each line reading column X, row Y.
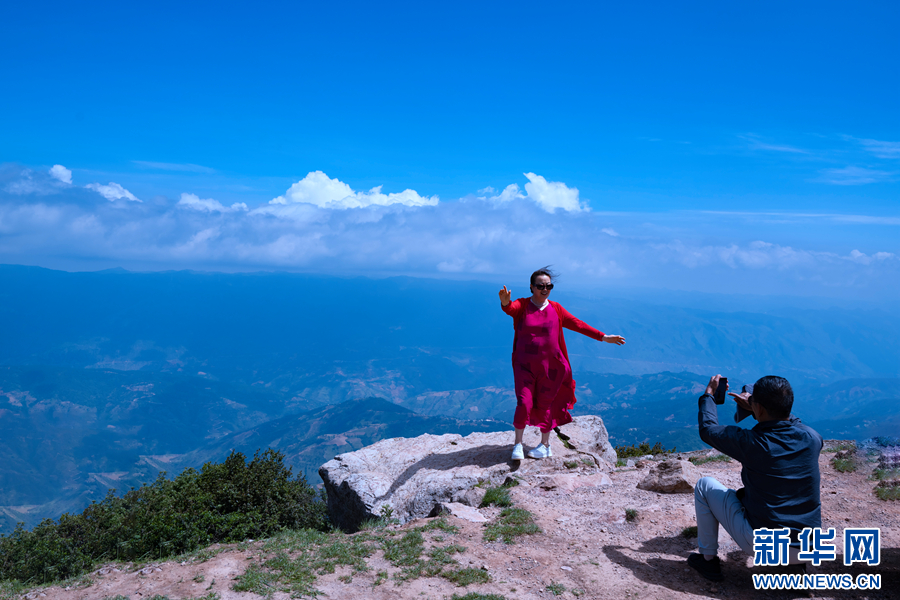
column 780, row 472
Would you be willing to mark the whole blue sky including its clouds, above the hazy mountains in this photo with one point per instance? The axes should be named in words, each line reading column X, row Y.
column 653, row 144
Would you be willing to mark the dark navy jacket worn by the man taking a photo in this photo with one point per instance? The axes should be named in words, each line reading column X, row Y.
column 780, row 472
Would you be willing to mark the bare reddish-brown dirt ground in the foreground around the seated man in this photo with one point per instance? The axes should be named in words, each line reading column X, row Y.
column 587, row 550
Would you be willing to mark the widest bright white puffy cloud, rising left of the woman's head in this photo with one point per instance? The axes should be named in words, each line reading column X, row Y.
column 317, row 189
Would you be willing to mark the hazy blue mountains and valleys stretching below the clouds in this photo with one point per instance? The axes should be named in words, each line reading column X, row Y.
column 109, row 378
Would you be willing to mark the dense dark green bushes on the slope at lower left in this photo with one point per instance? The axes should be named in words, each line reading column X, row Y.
column 225, row 502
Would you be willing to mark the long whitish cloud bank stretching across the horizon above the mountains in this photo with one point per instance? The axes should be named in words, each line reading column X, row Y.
column 322, row 225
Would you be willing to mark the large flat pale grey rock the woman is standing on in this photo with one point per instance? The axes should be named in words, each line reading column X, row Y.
column 410, row 478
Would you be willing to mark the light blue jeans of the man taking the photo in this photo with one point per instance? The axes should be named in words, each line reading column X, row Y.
column 716, row 504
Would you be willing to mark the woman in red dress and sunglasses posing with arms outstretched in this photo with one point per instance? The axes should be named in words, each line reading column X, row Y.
column 545, row 390
